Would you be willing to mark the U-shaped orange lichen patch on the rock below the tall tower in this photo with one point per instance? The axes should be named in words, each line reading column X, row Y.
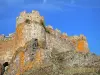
column 30, row 64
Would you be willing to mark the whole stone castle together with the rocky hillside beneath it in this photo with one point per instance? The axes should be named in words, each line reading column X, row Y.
column 36, row 49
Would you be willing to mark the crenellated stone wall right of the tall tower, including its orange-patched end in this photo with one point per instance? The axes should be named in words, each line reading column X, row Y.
column 61, row 40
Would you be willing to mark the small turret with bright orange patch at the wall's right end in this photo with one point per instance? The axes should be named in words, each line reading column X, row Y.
column 80, row 43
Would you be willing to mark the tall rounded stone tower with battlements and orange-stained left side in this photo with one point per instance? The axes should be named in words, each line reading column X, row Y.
column 28, row 26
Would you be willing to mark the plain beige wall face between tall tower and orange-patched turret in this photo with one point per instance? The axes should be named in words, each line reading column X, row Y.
column 59, row 44
